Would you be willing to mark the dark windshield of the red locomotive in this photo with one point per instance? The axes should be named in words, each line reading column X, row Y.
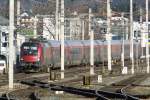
column 29, row 49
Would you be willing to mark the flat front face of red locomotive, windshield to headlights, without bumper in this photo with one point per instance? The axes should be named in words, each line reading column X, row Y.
column 30, row 54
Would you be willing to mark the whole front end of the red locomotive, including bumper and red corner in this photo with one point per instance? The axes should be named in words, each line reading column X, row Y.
column 30, row 55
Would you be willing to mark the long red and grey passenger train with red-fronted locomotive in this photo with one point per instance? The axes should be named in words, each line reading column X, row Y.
column 36, row 55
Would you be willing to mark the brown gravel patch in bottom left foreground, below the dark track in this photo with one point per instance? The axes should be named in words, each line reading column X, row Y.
column 25, row 94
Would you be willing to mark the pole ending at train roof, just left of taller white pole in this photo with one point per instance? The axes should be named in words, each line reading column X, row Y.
column 56, row 18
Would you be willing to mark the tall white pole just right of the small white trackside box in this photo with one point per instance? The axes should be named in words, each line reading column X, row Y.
column 131, row 36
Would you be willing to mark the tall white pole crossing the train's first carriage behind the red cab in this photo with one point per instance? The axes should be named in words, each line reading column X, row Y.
column 62, row 39
